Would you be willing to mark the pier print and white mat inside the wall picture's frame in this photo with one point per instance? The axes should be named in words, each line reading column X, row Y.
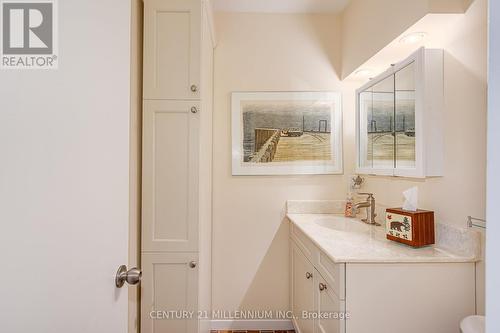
column 280, row 131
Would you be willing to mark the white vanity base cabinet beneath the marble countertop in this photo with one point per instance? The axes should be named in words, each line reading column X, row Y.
column 388, row 297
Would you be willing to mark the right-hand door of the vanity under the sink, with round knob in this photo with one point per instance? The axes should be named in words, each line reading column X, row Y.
column 329, row 308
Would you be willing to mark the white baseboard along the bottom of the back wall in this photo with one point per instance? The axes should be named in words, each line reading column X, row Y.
column 246, row 325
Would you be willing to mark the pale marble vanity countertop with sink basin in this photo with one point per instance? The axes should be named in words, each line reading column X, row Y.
column 348, row 240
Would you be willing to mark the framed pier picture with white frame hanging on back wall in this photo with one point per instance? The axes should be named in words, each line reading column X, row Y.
column 286, row 133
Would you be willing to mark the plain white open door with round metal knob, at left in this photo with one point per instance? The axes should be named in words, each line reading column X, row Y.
column 64, row 147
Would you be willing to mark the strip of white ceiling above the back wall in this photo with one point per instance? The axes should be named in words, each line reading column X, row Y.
column 281, row 6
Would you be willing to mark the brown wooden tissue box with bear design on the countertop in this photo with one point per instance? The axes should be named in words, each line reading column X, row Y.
column 412, row 228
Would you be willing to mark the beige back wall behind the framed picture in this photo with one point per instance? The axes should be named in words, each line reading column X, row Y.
column 264, row 52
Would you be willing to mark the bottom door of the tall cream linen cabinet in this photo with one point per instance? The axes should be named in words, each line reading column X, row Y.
column 169, row 286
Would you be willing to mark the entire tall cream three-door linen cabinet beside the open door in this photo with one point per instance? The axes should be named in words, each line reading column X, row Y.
column 177, row 165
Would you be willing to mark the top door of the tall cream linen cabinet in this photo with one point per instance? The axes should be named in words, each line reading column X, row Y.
column 172, row 37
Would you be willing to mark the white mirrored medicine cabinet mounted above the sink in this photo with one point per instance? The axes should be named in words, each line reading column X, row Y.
column 399, row 119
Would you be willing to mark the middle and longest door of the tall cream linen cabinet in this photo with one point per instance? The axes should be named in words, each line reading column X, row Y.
column 170, row 176
